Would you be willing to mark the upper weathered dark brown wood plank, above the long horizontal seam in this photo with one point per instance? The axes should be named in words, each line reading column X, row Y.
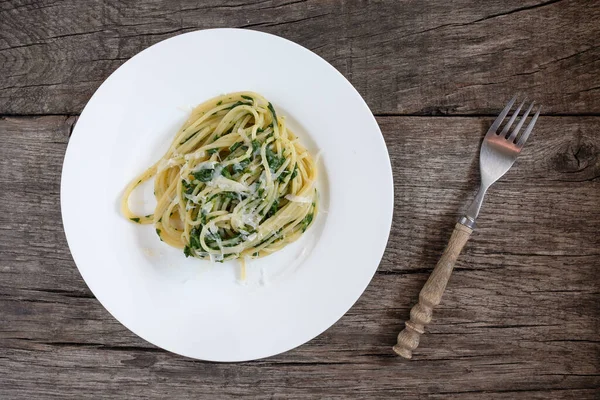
column 404, row 57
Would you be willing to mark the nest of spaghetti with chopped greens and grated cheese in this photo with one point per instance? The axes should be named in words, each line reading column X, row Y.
column 235, row 182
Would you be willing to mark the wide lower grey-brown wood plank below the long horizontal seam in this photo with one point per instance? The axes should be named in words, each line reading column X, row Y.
column 519, row 320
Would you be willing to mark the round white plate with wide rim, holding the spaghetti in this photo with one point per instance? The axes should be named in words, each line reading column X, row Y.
column 189, row 306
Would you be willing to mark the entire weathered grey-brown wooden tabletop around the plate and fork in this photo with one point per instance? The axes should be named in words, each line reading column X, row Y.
column 520, row 318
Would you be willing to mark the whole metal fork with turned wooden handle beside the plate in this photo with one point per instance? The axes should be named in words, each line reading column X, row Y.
column 498, row 153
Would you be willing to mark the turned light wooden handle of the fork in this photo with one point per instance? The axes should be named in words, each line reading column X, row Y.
column 431, row 294
